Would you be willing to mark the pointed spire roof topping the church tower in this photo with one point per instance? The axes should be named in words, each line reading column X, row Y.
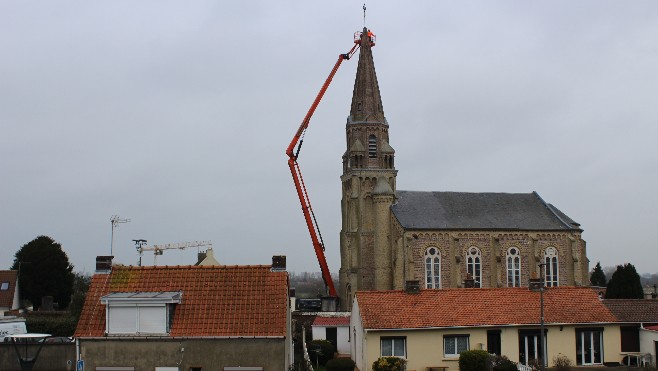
column 366, row 100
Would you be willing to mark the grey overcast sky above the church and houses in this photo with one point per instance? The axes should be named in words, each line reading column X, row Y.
column 176, row 115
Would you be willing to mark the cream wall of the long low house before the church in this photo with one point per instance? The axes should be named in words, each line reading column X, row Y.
column 425, row 347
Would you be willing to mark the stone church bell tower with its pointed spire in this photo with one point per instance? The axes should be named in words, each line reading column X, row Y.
column 368, row 187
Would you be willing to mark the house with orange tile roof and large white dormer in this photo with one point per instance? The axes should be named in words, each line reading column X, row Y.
column 187, row 318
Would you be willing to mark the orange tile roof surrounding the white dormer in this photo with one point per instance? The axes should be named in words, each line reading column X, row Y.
column 216, row 301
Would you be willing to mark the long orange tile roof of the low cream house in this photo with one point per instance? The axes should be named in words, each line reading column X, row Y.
column 479, row 307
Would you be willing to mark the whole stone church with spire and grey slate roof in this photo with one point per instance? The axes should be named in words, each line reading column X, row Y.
column 441, row 239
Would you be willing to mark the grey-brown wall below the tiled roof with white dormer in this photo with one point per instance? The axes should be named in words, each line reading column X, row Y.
column 209, row 354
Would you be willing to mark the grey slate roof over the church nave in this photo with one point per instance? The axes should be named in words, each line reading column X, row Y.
column 486, row 211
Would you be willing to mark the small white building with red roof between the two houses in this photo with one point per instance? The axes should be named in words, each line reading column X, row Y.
column 335, row 327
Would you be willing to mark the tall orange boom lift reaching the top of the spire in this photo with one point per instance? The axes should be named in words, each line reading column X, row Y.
column 293, row 155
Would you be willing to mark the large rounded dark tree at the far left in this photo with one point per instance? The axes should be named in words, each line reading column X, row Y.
column 44, row 270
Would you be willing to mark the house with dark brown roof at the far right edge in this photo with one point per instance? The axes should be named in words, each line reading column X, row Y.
column 633, row 315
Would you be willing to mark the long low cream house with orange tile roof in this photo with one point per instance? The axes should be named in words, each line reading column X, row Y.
column 429, row 328
